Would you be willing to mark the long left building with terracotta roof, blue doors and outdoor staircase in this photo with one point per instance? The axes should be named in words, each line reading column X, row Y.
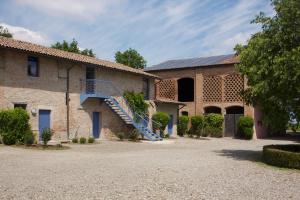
column 72, row 94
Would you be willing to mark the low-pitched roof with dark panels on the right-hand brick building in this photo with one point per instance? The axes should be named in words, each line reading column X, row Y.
column 194, row 62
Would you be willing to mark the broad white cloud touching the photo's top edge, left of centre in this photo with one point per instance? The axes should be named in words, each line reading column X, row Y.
column 85, row 9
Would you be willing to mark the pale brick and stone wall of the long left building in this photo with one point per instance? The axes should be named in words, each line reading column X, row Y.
column 48, row 91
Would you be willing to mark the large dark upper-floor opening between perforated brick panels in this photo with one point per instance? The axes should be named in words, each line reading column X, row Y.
column 186, row 89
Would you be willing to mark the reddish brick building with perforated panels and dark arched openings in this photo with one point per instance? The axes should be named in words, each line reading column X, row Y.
column 206, row 85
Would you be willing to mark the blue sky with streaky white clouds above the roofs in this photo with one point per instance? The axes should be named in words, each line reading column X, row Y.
column 159, row 30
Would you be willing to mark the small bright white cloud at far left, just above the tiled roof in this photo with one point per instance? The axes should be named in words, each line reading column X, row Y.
column 25, row 34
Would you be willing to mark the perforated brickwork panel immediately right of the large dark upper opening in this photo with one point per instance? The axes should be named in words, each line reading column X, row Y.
column 212, row 89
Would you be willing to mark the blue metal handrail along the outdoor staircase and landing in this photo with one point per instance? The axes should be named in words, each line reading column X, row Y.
column 119, row 94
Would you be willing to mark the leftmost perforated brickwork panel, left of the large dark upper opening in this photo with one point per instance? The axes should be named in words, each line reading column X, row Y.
column 167, row 89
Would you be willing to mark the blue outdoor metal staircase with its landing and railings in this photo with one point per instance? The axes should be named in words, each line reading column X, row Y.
column 114, row 99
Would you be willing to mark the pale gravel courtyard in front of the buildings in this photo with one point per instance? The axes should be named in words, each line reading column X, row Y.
column 180, row 169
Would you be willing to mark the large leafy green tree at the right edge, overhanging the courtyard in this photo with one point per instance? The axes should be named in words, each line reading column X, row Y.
column 271, row 62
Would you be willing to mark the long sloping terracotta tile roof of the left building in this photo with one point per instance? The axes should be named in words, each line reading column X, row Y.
column 47, row 51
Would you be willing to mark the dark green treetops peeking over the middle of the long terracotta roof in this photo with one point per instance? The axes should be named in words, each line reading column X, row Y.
column 73, row 47
